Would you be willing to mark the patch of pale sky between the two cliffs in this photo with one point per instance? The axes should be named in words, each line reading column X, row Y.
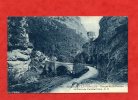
column 91, row 23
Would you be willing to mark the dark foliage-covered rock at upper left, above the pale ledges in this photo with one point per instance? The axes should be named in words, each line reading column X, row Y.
column 17, row 33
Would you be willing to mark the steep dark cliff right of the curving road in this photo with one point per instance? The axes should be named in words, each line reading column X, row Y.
column 109, row 51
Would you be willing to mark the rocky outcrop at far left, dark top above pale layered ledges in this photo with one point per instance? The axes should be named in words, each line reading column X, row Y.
column 19, row 49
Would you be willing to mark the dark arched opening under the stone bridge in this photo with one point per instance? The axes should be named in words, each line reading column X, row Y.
column 62, row 70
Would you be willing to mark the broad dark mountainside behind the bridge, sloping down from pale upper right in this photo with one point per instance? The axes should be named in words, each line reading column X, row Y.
column 62, row 37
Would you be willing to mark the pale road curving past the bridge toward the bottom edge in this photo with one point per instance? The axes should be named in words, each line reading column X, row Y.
column 66, row 87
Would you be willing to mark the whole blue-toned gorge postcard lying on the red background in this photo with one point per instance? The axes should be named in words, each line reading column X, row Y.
column 67, row 54
